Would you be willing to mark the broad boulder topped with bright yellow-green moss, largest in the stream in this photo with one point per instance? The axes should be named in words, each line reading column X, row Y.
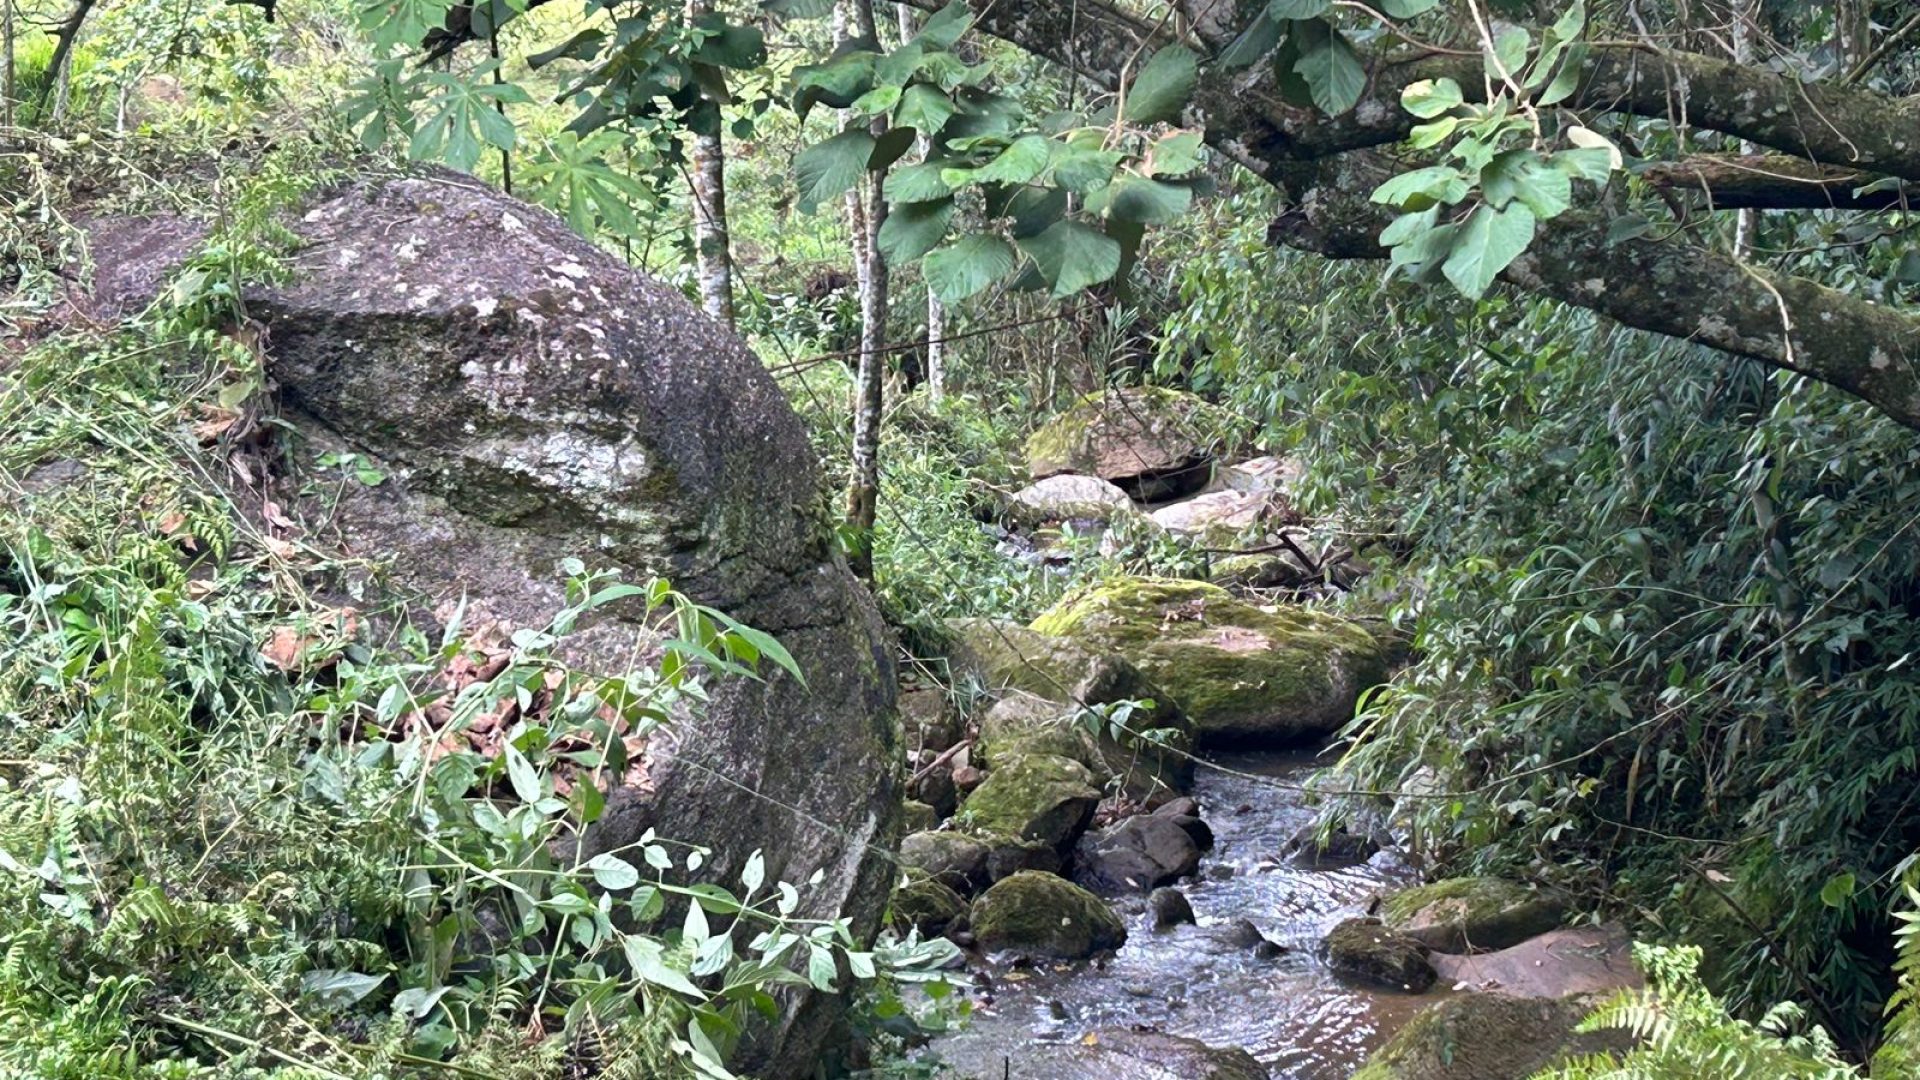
column 1239, row 674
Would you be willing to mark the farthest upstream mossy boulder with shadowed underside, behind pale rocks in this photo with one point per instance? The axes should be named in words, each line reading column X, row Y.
column 1151, row 441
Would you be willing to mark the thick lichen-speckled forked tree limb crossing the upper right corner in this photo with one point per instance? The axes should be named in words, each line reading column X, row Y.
column 1328, row 170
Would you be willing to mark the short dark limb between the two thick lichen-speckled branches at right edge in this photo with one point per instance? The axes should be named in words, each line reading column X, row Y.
column 1775, row 182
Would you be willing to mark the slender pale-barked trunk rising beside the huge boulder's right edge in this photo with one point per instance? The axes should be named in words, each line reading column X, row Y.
column 863, row 495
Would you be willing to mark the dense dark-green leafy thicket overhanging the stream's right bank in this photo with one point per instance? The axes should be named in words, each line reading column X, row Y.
column 1664, row 606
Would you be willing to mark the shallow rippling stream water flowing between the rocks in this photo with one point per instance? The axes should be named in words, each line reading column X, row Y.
column 1193, row 981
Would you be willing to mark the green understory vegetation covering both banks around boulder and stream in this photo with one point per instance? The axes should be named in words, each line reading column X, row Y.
column 1658, row 599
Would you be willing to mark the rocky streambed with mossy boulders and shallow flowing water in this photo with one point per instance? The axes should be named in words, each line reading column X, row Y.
column 1116, row 833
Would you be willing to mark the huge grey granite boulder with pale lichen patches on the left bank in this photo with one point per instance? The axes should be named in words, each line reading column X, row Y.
column 533, row 401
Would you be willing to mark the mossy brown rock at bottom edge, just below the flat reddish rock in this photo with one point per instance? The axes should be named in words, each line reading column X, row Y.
column 1487, row 1037
